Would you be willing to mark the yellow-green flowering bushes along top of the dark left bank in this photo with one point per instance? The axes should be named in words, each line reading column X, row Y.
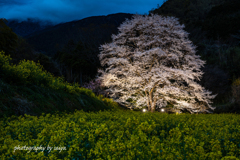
column 29, row 72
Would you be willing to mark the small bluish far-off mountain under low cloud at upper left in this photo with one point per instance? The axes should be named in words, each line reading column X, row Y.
column 24, row 28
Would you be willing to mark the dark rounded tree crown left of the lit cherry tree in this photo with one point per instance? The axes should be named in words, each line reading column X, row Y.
column 79, row 59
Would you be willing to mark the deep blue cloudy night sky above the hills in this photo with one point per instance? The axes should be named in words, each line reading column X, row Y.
column 59, row 11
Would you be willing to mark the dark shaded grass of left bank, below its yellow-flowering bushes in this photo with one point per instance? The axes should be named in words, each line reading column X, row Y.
column 34, row 100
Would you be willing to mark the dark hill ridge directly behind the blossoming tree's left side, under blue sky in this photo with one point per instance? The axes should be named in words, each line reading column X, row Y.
column 92, row 30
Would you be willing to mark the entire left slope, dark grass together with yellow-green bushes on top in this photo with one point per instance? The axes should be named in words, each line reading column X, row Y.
column 25, row 88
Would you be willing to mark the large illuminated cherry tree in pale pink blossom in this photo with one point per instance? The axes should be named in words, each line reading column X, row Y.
column 151, row 63
